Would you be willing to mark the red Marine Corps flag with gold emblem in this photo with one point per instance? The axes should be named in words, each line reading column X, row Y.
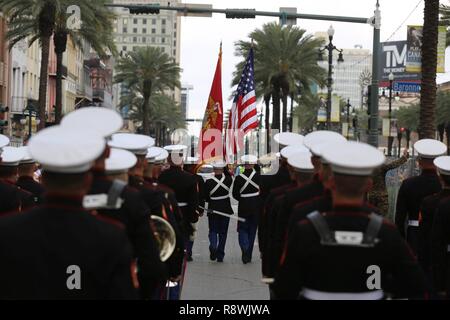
column 210, row 144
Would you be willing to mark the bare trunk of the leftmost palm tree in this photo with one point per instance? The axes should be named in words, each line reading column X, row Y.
column 46, row 28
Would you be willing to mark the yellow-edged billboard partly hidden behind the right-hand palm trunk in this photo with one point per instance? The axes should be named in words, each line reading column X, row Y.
column 414, row 53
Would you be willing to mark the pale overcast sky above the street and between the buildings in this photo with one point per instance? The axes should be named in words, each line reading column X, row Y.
column 200, row 37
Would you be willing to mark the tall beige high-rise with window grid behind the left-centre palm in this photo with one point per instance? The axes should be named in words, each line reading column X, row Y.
column 157, row 30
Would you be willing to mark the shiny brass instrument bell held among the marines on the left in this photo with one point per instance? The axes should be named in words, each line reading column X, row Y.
column 165, row 237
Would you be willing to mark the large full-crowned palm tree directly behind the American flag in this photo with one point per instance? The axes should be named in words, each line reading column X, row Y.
column 285, row 57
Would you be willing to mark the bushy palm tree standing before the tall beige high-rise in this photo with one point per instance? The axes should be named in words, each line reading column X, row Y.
column 148, row 70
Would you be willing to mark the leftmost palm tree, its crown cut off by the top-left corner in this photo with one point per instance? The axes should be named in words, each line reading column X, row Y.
column 35, row 20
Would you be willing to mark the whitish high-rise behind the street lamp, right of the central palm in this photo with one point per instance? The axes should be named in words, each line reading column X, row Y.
column 347, row 74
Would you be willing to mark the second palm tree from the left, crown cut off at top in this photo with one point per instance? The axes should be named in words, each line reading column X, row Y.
column 96, row 30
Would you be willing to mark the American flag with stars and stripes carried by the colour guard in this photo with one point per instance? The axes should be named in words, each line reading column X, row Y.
column 243, row 114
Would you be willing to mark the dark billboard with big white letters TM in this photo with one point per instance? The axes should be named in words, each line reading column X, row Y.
column 393, row 59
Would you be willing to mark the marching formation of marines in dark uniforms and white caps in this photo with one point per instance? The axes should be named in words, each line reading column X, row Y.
column 112, row 216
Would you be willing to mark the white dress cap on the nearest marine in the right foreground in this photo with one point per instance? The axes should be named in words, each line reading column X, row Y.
column 353, row 158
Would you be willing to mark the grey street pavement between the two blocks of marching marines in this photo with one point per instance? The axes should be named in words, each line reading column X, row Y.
column 230, row 280
